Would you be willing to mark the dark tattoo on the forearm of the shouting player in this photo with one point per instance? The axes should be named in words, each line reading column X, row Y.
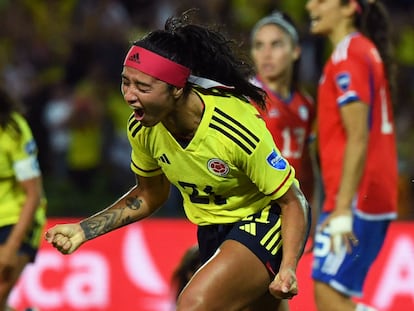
column 110, row 219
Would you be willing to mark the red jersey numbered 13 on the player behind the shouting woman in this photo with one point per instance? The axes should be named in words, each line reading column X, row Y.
column 290, row 123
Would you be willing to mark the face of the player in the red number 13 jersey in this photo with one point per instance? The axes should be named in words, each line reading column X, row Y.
column 273, row 52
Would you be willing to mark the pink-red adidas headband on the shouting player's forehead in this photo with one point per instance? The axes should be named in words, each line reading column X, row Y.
column 157, row 66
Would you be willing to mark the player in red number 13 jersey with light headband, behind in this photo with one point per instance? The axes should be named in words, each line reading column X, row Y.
column 290, row 112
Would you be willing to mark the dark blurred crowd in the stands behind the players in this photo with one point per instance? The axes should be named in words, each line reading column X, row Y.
column 63, row 60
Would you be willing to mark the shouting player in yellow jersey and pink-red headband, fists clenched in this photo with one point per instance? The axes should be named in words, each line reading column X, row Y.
column 193, row 126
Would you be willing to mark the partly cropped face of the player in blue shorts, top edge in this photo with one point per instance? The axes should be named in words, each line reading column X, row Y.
column 325, row 15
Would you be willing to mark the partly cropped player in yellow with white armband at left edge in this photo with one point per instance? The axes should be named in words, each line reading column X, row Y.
column 22, row 204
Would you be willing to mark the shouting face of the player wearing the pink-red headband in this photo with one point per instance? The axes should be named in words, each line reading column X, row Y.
column 150, row 98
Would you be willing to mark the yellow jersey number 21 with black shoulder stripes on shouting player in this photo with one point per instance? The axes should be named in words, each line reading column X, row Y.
column 229, row 170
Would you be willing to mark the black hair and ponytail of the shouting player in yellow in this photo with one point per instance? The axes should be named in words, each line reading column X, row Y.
column 207, row 53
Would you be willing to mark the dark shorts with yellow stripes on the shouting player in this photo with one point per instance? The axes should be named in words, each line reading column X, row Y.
column 260, row 232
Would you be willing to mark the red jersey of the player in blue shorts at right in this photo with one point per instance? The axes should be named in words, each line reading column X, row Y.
column 355, row 72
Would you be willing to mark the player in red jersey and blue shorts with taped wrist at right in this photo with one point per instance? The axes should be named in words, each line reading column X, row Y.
column 357, row 148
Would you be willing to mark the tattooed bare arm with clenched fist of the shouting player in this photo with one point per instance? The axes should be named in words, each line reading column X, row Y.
column 138, row 203
